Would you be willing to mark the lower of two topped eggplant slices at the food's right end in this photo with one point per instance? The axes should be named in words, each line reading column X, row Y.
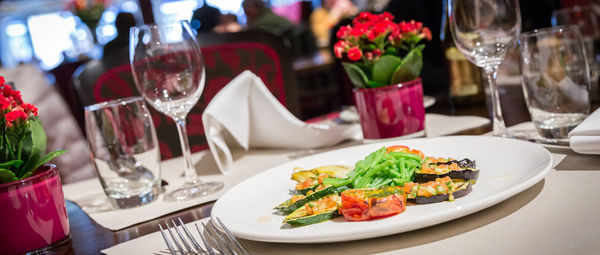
column 442, row 189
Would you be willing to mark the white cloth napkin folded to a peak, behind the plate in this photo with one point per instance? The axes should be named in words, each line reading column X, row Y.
column 255, row 119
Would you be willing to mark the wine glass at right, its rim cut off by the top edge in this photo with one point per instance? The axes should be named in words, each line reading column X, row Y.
column 485, row 31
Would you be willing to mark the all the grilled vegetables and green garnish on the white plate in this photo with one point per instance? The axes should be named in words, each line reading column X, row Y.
column 378, row 186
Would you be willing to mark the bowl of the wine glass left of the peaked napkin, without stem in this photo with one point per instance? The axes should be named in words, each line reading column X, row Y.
column 169, row 71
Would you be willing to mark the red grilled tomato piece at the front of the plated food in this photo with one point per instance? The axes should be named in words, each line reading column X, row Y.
column 365, row 204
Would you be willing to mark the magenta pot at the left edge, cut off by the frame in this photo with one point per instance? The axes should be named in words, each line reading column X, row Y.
column 34, row 216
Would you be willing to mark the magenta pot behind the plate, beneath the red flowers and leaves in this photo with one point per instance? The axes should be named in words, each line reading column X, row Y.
column 391, row 111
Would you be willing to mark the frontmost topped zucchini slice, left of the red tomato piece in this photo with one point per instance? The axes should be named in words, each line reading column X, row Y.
column 315, row 211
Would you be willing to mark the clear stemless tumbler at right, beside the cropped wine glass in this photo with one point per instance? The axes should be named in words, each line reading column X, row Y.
column 556, row 79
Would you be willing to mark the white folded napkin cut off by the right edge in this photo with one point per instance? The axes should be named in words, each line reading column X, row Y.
column 585, row 138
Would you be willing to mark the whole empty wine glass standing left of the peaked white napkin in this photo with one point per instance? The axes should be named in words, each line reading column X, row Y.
column 168, row 70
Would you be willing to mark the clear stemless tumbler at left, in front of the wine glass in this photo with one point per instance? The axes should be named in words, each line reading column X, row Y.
column 124, row 151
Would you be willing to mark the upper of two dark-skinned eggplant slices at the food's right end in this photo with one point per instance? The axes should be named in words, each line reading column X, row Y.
column 434, row 168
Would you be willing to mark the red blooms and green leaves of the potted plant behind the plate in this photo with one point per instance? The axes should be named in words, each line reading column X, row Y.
column 378, row 52
